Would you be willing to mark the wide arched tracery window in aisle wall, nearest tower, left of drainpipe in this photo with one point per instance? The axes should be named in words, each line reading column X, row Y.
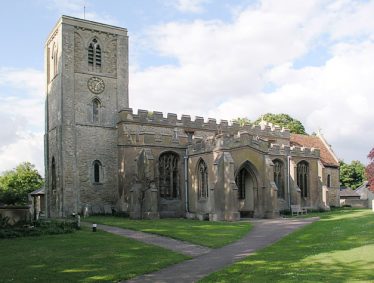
column 169, row 177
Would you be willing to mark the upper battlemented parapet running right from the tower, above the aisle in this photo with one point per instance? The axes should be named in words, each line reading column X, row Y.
column 156, row 118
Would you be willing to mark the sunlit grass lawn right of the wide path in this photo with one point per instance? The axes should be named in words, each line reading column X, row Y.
column 338, row 248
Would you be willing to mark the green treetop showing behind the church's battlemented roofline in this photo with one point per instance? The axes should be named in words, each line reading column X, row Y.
column 283, row 120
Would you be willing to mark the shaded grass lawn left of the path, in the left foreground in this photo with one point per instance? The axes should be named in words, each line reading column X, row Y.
column 82, row 256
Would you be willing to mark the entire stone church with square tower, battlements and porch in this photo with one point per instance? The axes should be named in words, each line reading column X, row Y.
column 101, row 156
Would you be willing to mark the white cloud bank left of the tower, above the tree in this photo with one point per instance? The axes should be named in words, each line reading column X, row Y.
column 22, row 116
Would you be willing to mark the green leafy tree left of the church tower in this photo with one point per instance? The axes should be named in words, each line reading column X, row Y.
column 16, row 184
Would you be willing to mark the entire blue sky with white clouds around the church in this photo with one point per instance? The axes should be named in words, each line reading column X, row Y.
column 211, row 58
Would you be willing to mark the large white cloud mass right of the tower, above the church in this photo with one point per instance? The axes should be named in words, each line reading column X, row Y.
column 223, row 68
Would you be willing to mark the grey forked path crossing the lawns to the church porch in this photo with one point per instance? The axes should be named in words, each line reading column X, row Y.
column 206, row 261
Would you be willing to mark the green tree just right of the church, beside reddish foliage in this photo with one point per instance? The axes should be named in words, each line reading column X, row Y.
column 352, row 175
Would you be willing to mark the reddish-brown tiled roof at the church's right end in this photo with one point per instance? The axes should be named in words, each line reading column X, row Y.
column 327, row 156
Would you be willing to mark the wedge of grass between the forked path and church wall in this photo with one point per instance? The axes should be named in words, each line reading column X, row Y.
column 205, row 233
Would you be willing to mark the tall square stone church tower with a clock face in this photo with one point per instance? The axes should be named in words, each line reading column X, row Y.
column 86, row 67
